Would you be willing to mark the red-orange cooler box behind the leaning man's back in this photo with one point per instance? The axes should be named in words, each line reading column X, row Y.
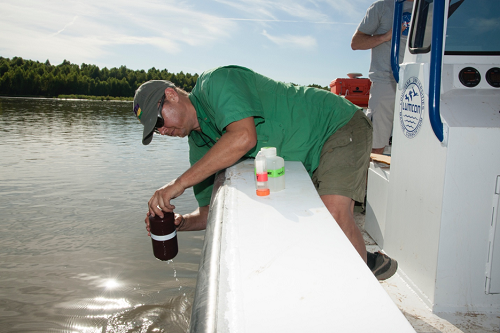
column 355, row 90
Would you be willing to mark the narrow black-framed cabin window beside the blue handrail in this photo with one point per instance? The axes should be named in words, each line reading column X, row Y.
column 421, row 32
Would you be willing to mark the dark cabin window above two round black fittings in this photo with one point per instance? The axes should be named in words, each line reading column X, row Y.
column 473, row 27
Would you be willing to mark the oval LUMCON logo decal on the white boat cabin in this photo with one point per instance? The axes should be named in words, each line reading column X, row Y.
column 411, row 107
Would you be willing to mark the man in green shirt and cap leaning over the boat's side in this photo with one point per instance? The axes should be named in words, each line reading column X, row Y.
column 232, row 112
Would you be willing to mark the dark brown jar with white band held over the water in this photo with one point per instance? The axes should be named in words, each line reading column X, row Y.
column 163, row 236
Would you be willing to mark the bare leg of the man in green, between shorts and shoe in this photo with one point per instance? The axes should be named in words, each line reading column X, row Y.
column 342, row 209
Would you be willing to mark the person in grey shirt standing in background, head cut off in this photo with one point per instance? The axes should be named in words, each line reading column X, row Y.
column 375, row 33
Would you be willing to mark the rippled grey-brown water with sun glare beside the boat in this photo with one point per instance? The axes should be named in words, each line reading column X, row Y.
column 75, row 180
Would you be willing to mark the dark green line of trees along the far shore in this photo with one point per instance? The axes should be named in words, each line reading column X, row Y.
column 20, row 77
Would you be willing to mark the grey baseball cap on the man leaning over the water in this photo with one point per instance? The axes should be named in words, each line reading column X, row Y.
column 146, row 105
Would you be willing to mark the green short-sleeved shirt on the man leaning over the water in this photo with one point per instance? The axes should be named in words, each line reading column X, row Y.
column 296, row 120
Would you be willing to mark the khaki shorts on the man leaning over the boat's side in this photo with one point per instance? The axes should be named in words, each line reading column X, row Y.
column 344, row 160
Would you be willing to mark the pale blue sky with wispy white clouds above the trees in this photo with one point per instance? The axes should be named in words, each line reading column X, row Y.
column 299, row 41
